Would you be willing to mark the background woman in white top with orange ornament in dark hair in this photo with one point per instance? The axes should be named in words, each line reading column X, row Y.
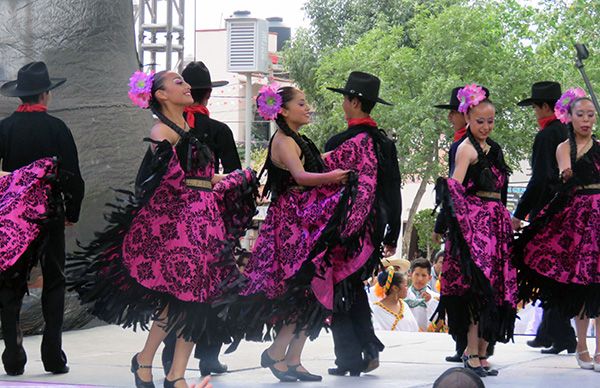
column 391, row 312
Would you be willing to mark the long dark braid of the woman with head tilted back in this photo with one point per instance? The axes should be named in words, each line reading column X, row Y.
column 193, row 160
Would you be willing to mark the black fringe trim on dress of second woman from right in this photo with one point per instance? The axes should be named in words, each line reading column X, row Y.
column 496, row 323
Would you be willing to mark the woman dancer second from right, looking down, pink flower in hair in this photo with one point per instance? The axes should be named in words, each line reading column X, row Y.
column 479, row 282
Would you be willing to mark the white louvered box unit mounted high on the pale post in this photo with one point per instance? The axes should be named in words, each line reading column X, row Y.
column 247, row 45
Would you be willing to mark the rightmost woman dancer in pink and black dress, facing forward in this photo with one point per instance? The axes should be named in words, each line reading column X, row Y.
column 559, row 252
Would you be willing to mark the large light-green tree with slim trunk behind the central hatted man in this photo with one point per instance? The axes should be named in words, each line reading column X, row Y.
column 479, row 43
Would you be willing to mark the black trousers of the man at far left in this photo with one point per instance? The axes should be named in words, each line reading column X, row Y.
column 13, row 289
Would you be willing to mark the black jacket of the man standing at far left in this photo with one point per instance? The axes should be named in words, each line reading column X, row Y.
column 28, row 136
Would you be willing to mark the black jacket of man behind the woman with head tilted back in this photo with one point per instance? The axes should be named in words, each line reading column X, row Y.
column 219, row 138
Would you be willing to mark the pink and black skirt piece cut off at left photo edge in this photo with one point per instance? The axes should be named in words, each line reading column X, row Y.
column 26, row 203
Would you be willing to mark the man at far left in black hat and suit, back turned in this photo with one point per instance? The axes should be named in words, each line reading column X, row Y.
column 27, row 135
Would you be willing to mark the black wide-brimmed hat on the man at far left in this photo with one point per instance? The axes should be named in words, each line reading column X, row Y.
column 32, row 79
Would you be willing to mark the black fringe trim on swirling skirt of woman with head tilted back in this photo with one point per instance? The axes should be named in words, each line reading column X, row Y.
column 105, row 287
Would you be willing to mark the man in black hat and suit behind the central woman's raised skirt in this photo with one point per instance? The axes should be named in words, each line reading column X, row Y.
column 352, row 330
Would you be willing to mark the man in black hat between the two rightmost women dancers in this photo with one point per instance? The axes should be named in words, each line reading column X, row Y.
column 554, row 330
